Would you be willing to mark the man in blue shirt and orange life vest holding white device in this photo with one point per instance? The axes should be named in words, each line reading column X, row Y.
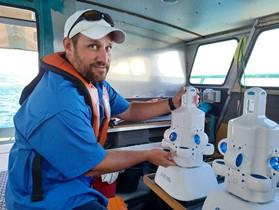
column 64, row 119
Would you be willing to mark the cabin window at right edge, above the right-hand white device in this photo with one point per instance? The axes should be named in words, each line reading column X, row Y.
column 262, row 68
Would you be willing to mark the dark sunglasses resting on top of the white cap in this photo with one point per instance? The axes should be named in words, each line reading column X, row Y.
column 92, row 15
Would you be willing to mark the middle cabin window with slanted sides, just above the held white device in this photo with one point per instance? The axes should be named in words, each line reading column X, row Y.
column 213, row 62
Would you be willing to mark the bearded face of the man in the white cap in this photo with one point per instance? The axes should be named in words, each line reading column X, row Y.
column 91, row 57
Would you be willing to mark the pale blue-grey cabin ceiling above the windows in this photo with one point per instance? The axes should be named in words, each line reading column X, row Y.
column 198, row 17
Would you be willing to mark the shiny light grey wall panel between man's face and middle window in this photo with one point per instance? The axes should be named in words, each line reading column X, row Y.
column 159, row 80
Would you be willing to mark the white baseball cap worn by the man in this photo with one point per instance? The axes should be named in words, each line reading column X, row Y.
column 93, row 24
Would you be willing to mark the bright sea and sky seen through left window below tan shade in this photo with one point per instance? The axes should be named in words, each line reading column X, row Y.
column 13, row 77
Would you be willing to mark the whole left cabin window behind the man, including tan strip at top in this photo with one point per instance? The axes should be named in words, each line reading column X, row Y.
column 19, row 61
